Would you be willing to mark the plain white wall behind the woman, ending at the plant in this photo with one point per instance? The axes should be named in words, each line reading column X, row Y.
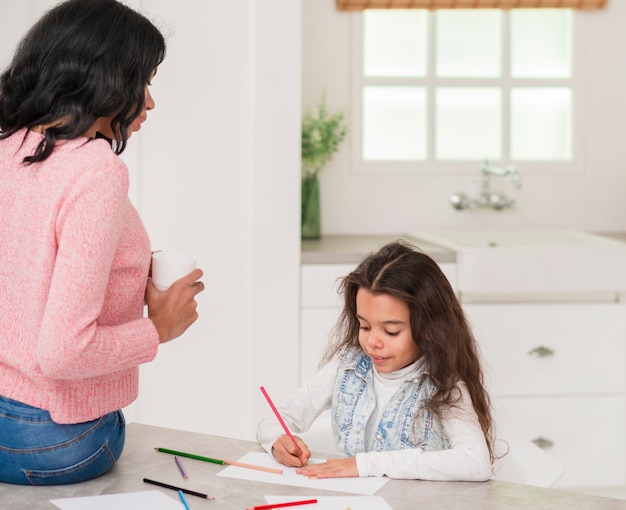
column 215, row 170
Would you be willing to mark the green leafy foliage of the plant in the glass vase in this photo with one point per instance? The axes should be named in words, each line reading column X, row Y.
column 322, row 132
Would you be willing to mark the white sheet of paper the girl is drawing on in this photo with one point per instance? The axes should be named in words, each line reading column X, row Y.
column 367, row 486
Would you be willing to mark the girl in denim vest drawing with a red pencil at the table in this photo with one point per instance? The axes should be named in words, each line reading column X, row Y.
column 402, row 379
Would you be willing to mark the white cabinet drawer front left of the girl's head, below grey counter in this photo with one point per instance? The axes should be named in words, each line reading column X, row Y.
column 319, row 284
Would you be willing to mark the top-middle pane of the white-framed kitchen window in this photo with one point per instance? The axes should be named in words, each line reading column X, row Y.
column 469, row 43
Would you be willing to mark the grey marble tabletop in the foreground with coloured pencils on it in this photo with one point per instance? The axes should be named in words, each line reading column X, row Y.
column 140, row 460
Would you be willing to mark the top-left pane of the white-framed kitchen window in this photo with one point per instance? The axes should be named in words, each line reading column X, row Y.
column 394, row 42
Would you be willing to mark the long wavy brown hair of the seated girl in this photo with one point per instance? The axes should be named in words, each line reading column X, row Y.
column 438, row 324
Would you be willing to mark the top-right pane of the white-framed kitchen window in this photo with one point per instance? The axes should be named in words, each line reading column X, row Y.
column 541, row 43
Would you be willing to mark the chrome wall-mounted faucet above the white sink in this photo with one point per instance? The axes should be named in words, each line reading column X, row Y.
column 497, row 201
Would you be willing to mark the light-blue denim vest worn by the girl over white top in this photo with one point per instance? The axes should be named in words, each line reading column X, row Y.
column 354, row 402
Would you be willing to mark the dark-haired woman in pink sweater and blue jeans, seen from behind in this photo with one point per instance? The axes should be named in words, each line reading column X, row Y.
column 74, row 255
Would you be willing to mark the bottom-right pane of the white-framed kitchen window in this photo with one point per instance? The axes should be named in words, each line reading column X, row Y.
column 541, row 120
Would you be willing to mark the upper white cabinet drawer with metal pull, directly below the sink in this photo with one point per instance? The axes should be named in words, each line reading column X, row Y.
column 541, row 349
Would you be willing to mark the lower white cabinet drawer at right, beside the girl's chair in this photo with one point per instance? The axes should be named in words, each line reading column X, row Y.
column 586, row 433
